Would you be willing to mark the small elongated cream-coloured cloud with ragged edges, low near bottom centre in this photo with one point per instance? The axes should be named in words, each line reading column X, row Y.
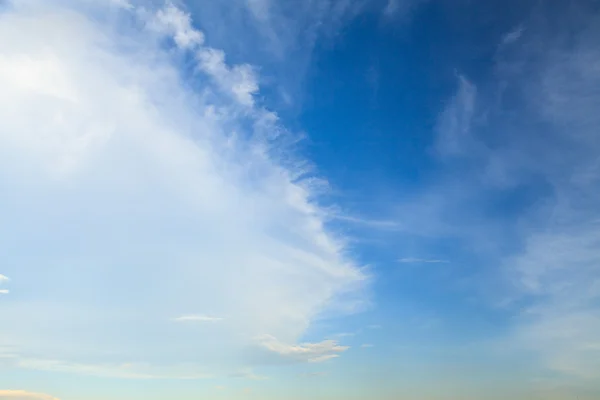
column 306, row 352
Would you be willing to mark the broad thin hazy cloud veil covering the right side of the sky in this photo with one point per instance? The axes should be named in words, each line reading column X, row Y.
column 522, row 178
